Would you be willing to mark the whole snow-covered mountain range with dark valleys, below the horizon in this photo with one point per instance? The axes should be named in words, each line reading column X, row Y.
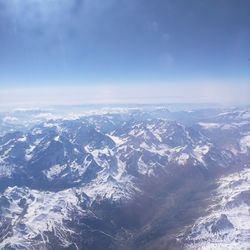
column 126, row 179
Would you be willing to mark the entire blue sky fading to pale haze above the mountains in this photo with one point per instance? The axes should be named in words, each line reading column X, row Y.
column 129, row 51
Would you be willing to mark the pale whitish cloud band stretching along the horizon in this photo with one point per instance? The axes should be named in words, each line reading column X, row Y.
column 196, row 92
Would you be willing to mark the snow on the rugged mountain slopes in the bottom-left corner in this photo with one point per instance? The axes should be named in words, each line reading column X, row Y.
column 43, row 212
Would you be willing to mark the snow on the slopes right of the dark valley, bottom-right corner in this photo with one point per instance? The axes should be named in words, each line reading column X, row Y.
column 238, row 214
